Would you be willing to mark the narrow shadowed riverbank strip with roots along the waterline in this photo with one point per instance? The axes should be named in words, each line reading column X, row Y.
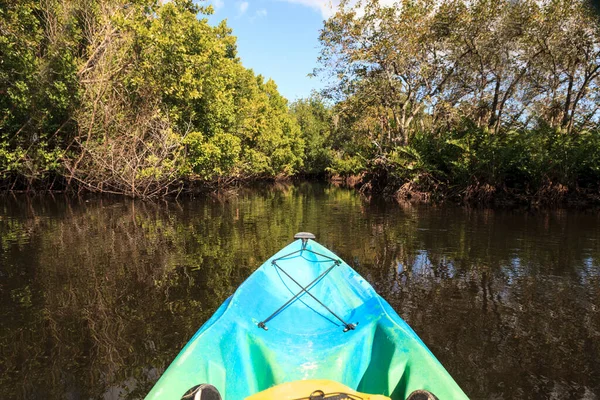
column 372, row 186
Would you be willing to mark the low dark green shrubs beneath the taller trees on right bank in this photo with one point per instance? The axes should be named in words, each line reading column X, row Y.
column 526, row 161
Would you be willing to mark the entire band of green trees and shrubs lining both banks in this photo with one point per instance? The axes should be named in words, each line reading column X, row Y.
column 472, row 100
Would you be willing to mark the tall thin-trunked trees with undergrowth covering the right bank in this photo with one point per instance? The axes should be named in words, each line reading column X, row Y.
column 478, row 100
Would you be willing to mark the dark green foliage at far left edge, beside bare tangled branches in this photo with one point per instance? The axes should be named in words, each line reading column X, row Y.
column 38, row 86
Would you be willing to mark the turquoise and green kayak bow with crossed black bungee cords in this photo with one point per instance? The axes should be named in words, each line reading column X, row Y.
column 305, row 315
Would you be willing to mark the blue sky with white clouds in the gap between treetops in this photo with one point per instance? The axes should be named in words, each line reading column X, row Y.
column 277, row 39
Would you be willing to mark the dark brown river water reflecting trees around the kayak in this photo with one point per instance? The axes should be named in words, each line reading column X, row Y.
column 98, row 296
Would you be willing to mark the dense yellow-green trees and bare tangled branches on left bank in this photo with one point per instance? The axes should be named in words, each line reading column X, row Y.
column 131, row 97
